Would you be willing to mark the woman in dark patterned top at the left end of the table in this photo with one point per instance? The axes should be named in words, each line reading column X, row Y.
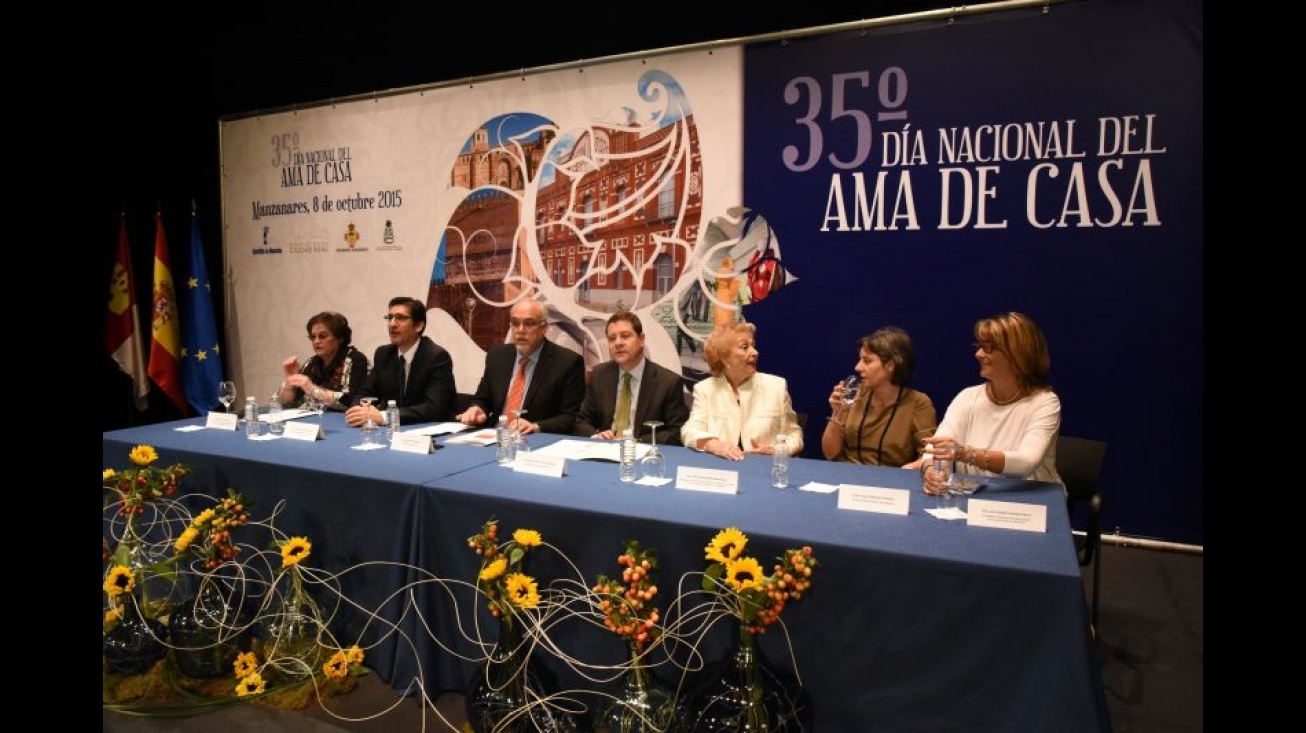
column 332, row 373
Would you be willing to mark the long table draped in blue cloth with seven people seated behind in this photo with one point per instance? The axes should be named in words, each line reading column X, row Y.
column 914, row 624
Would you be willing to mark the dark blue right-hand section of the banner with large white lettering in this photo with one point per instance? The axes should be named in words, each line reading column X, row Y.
column 1049, row 163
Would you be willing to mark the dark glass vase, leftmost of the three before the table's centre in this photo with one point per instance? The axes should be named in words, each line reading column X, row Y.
column 506, row 693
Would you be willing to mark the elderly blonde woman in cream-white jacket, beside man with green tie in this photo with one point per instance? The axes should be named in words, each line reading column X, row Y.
column 739, row 410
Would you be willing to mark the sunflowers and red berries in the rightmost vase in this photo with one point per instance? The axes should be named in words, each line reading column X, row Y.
column 756, row 598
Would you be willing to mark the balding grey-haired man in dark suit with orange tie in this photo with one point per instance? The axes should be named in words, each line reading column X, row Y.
column 550, row 380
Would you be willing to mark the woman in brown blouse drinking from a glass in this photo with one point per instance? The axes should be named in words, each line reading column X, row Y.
column 880, row 427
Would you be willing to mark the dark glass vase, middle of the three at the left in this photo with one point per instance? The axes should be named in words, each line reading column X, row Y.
column 207, row 630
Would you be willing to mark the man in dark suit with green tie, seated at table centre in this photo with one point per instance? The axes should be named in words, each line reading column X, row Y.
column 656, row 393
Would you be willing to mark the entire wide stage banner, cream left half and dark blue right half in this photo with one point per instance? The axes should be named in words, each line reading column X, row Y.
column 923, row 176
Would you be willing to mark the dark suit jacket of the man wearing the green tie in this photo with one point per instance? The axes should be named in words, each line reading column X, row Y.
column 661, row 398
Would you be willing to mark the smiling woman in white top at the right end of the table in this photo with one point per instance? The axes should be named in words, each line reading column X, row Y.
column 1006, row 427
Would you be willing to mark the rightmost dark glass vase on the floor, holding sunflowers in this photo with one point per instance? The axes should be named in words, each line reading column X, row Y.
column 745, row 693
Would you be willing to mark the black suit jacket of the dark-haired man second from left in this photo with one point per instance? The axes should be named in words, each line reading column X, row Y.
column 430, row 387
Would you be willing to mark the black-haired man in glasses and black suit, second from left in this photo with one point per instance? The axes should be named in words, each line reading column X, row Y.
column 412, row 370
